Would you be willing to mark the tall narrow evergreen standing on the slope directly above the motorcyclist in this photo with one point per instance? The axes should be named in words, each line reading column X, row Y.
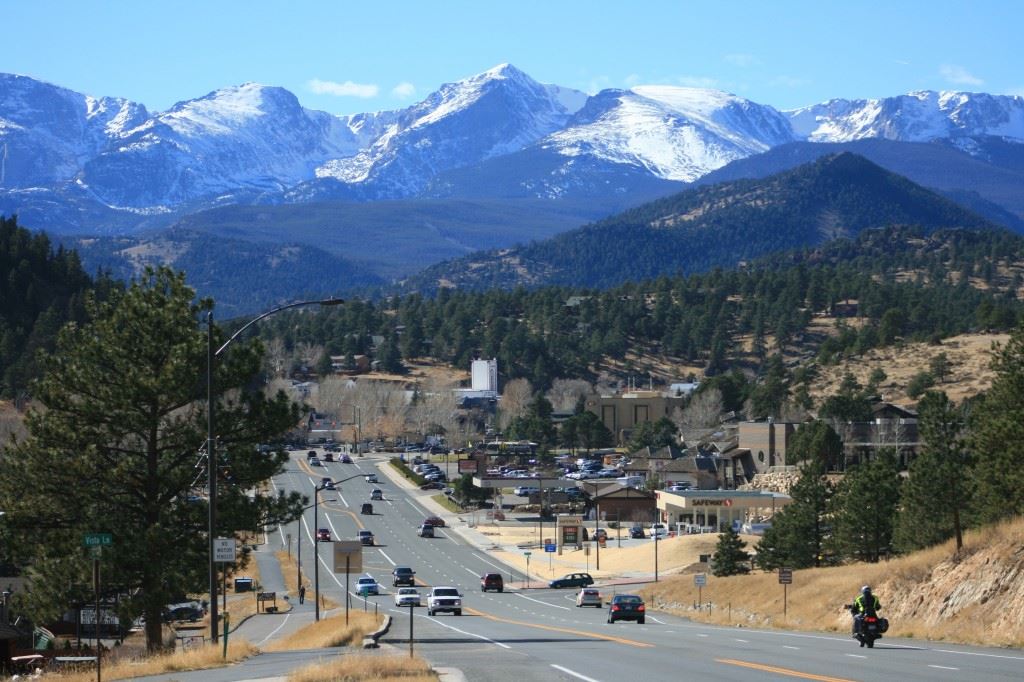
column 936, row 497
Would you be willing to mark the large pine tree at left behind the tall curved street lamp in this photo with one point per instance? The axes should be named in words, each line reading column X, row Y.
column 115, row 451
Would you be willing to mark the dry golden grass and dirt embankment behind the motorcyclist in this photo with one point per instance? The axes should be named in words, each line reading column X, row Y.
column 976, row 598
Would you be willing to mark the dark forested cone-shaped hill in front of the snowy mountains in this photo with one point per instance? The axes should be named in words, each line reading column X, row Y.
column 721, row 226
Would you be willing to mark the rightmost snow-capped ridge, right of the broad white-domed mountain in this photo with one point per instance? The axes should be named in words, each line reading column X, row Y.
column 918, row 117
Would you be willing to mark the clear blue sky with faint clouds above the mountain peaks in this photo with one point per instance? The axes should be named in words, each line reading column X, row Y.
column 348, row 58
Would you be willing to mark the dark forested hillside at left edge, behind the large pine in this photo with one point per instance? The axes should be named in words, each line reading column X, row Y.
column 42, row 288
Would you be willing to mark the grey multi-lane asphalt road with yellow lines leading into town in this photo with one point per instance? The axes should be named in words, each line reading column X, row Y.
column 539, row 634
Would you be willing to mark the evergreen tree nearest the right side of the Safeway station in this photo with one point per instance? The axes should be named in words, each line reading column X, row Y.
column 798, row 535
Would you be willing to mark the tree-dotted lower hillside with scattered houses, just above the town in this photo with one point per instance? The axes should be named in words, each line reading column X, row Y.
column 897, row 284
